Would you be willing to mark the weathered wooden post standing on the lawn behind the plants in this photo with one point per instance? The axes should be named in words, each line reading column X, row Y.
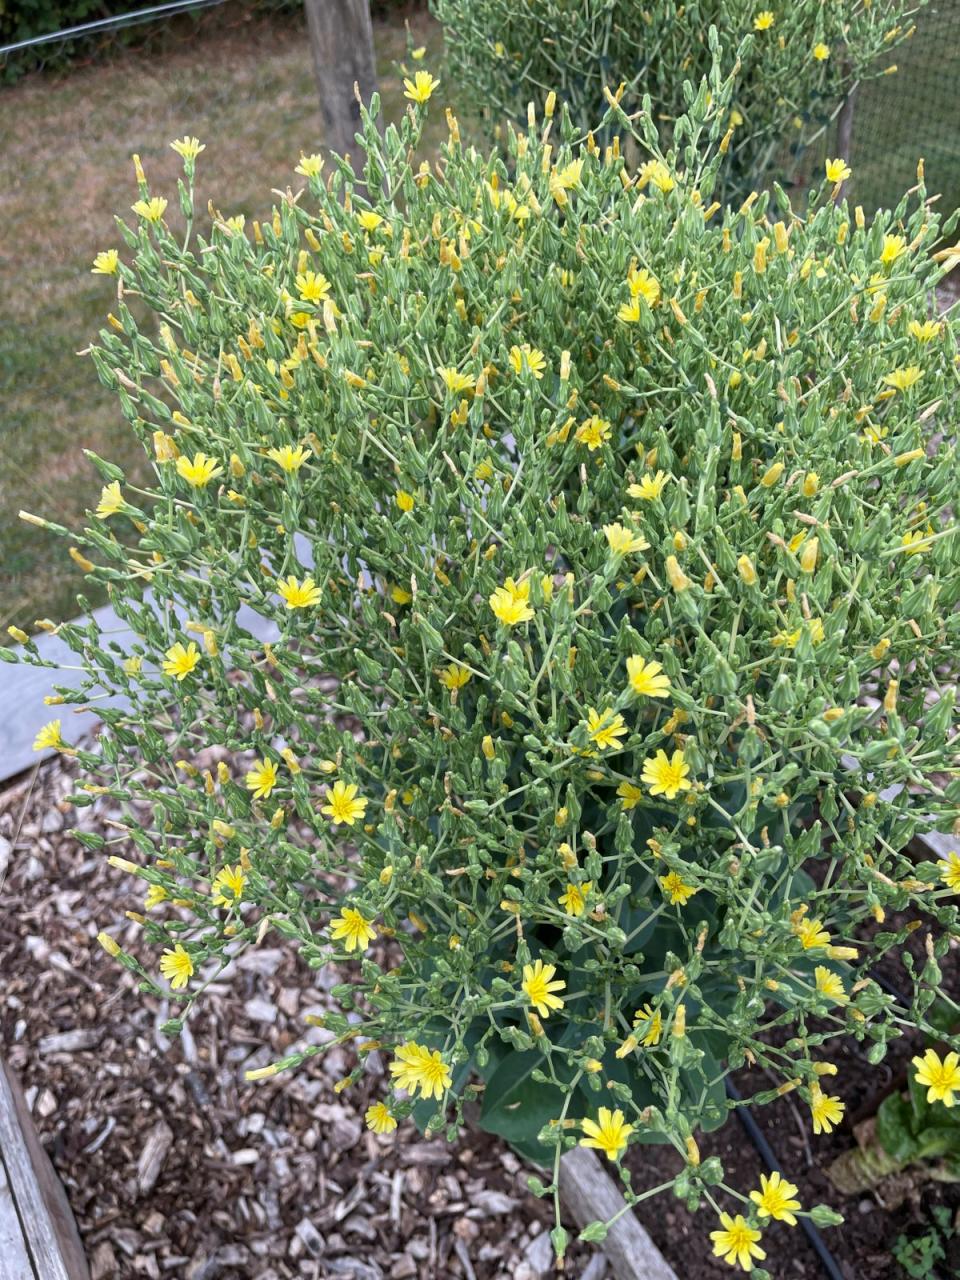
column 342, row 44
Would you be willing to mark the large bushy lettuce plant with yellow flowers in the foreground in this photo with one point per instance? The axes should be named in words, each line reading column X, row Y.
column 609, row 543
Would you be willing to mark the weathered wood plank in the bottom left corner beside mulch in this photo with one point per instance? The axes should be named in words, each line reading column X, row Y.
column 49, row 1233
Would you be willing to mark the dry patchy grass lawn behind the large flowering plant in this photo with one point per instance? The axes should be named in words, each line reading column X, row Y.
column 246, row 89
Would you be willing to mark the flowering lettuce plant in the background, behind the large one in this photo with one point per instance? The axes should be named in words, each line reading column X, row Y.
column 798, row 62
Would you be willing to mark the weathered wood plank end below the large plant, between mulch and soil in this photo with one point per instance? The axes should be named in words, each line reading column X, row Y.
column 591, row 1195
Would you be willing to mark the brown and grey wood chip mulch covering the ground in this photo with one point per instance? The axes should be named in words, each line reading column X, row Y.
column 173, row 1164
